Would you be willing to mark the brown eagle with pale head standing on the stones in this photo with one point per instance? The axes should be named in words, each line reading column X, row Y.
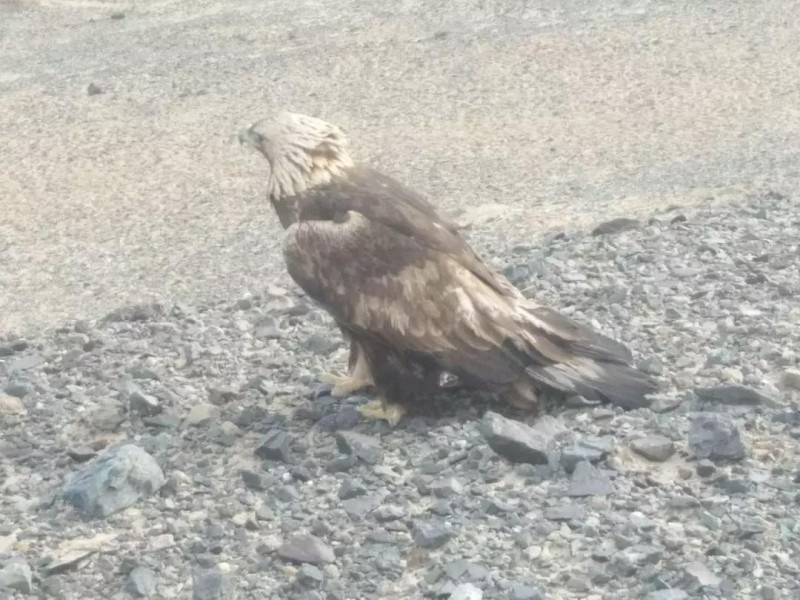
column 415, row 300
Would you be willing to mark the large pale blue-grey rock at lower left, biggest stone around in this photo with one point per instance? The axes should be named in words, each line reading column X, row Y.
column 113, row 481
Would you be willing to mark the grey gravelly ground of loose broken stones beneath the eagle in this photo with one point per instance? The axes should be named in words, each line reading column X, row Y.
column 188, row 451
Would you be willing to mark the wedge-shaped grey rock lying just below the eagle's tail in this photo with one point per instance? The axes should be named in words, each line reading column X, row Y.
column 519, row 442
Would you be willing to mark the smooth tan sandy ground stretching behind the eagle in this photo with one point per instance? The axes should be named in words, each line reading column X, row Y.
column 522, row 116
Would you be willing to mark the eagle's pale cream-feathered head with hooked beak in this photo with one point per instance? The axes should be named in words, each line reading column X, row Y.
column 302, row 151
